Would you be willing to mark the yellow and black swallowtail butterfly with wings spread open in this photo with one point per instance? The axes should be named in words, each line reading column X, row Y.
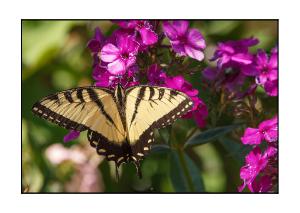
column 119, row 122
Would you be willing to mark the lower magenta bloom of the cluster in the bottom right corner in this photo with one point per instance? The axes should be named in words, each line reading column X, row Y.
column 256, row 162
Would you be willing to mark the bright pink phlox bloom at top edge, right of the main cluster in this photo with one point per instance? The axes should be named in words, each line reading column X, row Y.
column 185, row 41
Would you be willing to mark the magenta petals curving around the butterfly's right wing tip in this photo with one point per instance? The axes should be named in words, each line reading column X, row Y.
column 199, row 111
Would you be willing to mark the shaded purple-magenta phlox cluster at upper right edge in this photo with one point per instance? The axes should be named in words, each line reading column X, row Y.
column 235, row 64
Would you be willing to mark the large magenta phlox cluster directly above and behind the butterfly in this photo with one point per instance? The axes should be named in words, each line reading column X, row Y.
column 116, row 59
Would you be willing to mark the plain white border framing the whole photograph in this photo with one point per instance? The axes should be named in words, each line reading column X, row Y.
column 10, row 45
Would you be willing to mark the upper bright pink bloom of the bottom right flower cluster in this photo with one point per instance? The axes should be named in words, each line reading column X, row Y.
column 267, row 130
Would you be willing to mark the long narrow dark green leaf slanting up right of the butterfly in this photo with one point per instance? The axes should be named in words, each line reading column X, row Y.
column 210, row 135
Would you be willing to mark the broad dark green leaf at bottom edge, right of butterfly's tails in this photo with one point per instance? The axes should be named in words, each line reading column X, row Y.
column 185, row 175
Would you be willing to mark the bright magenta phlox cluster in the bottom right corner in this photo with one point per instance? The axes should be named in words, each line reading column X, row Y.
column 260, row 170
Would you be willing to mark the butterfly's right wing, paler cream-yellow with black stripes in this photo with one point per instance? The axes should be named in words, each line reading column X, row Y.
column 148, row 108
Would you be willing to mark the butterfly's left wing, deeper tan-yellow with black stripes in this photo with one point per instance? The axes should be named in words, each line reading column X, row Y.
column 87, row 108
